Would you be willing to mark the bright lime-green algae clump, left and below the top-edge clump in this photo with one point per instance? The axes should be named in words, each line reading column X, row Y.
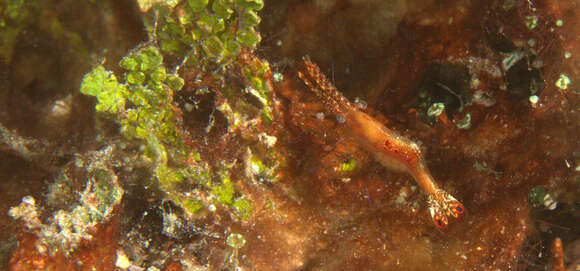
column 142, row 106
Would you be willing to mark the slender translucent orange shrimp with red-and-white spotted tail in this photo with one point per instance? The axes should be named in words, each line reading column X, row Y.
column 389, row 148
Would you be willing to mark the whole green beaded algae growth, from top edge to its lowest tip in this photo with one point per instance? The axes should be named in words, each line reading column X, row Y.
column 206, row 36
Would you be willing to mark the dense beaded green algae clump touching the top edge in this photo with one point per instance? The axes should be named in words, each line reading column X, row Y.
column 210, row 31
